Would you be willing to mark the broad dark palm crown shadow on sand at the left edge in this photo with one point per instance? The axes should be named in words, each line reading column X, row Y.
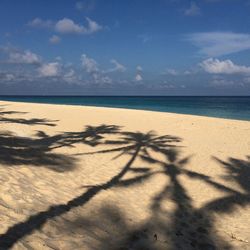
column 16, row 151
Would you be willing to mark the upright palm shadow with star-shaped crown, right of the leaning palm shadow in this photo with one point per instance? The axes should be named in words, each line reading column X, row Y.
column 187, row 227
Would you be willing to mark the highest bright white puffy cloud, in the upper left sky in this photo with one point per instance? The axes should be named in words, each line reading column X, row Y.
column 68, row 26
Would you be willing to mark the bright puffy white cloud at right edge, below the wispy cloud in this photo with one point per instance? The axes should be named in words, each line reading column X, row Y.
column 215, row 66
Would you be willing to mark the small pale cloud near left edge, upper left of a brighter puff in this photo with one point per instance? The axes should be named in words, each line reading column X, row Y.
column 25, row 57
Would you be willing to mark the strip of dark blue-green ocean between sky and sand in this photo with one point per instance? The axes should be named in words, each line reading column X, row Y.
column 223, row 107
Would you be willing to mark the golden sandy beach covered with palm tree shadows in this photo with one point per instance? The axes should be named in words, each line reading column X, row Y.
column 75, row 177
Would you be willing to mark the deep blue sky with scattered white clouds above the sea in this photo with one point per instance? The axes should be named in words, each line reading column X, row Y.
column 132, row 47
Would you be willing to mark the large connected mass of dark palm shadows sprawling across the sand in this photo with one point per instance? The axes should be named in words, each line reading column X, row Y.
column 187, row 227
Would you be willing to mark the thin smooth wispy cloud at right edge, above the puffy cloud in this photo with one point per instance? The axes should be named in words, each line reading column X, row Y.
column 220, row 43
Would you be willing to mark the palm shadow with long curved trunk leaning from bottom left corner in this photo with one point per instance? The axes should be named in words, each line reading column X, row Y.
column 133, row 143
